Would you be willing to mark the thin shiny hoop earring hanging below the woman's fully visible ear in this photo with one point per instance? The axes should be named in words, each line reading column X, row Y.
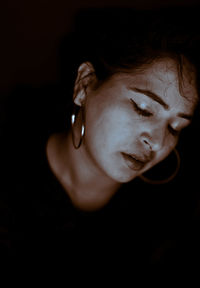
column 77, row 118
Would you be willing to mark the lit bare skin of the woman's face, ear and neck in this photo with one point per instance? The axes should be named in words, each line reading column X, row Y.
column 121, row 117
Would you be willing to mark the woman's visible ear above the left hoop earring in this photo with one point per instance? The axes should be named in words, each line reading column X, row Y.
column 85, row 76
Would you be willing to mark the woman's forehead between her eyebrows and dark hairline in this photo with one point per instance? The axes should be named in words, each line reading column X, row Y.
column 163, row 78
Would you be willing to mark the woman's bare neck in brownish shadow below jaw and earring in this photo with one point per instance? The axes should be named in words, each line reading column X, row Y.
column 86, row 185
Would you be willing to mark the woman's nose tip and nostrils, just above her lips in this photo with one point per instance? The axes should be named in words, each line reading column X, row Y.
column 153, row 140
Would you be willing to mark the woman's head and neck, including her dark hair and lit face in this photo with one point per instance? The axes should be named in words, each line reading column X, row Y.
column 131, row 102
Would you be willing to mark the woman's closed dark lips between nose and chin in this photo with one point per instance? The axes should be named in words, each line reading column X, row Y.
column 135, row 162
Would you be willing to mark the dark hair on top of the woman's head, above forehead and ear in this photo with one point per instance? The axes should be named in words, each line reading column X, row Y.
column 124, row 39
